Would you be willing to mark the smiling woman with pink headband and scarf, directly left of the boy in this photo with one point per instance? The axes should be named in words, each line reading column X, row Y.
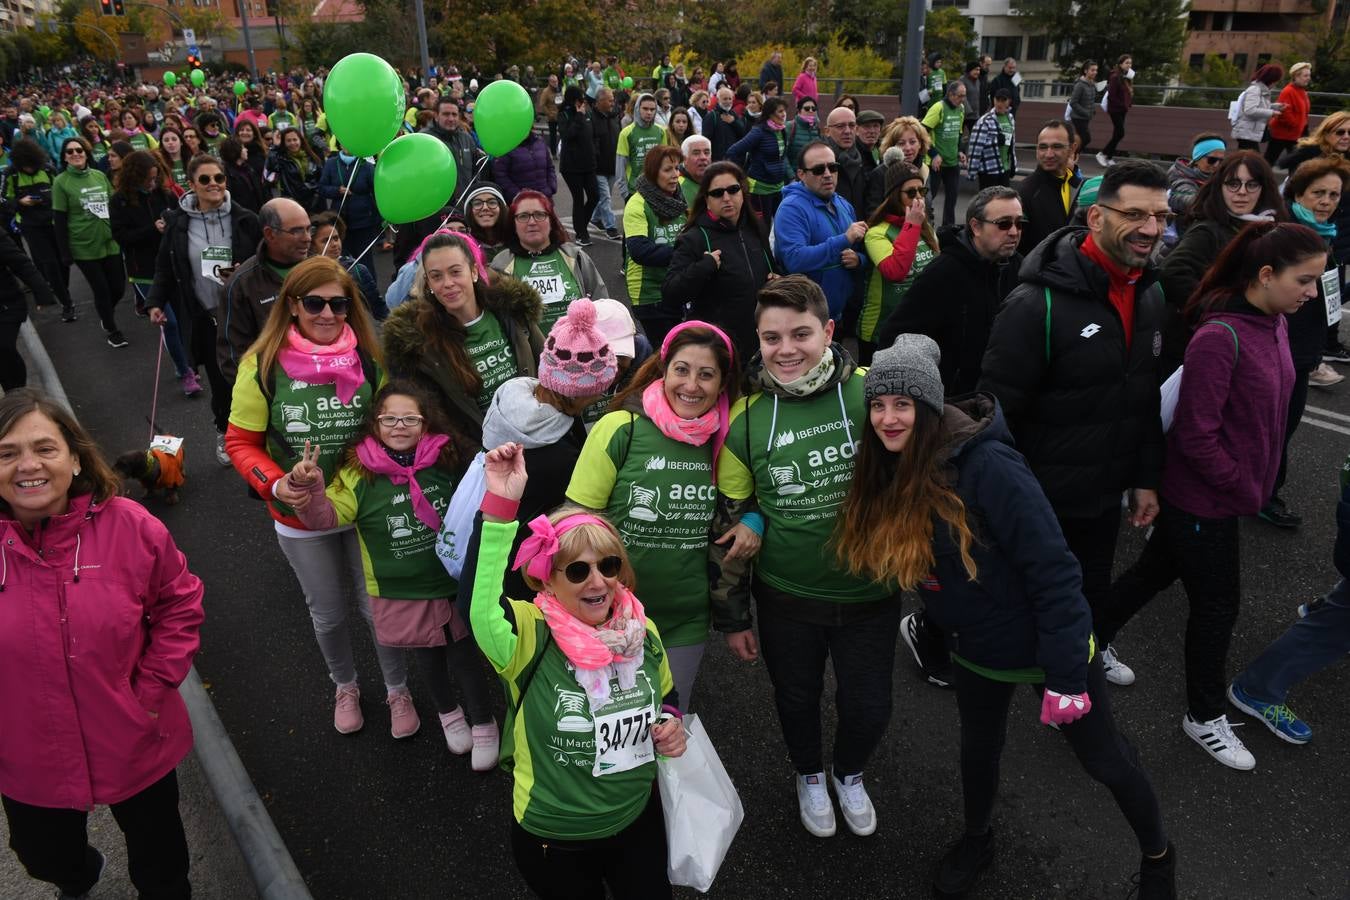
column 674, row 411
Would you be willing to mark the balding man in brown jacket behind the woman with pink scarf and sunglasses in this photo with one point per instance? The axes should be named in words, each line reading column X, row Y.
column 253, row 287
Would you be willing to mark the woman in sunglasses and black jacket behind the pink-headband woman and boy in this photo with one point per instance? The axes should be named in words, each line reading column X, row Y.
column 722, row 260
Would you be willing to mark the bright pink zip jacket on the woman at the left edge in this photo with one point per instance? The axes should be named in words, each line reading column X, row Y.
column 99, row 623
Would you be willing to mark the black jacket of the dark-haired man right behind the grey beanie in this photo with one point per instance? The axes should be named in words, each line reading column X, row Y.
column 954, row 302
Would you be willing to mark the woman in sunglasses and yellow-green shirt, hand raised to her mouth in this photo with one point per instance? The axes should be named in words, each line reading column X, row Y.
column 901, row 244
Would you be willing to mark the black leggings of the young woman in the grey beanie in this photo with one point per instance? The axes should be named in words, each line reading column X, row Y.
column 1104, row 752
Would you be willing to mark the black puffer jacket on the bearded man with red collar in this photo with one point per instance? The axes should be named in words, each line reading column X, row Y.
column 1083, row 408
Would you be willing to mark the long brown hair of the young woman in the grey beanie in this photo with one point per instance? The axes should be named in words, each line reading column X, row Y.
column 885, row 531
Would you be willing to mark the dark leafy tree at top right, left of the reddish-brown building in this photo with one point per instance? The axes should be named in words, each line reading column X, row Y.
column 1152, row 32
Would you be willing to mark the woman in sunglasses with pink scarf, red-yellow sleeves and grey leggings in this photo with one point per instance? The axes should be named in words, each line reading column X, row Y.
column 308, row 381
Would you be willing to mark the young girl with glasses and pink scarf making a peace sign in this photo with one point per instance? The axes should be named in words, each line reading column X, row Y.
column 398, row 476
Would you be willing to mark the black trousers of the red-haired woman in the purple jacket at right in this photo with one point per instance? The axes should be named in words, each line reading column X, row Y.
column 1205, row 554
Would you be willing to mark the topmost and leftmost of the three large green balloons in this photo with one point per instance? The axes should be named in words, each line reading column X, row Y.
column 364, row 99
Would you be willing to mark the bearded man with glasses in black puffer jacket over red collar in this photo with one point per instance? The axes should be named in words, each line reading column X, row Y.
column 1074, row 360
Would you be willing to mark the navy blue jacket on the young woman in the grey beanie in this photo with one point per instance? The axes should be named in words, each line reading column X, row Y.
column 1028, row 607
